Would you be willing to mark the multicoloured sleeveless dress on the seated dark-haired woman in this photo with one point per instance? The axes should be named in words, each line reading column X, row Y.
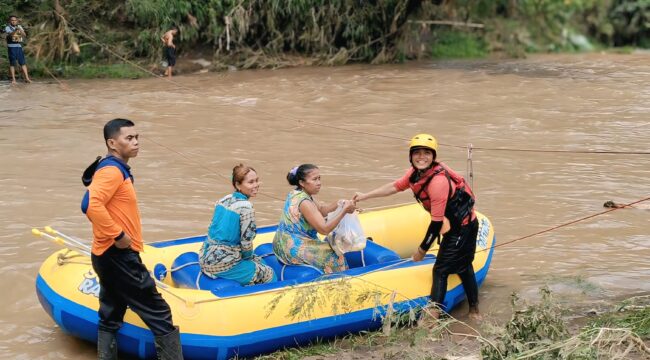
column 296, row 241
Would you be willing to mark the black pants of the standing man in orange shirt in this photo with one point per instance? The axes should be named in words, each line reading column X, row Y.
column 124, row 282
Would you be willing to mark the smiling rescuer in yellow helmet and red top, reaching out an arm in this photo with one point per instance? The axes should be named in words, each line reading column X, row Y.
column 450, row 201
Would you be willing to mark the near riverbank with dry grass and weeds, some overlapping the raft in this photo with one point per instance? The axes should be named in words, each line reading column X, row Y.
column 535, row 331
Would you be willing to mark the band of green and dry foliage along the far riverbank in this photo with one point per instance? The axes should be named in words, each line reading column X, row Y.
column 274, row 33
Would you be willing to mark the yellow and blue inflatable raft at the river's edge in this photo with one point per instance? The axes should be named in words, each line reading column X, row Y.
column 219, row 319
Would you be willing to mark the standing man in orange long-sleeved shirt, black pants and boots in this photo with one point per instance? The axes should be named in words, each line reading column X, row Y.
column 111, row 206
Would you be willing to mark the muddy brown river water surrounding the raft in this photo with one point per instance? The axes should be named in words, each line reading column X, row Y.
column 354, row 122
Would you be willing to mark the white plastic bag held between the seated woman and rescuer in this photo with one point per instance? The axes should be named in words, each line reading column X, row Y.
column 348, row 235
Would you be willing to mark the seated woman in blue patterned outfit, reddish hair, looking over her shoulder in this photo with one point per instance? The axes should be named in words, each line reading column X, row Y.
column 228, row 249
